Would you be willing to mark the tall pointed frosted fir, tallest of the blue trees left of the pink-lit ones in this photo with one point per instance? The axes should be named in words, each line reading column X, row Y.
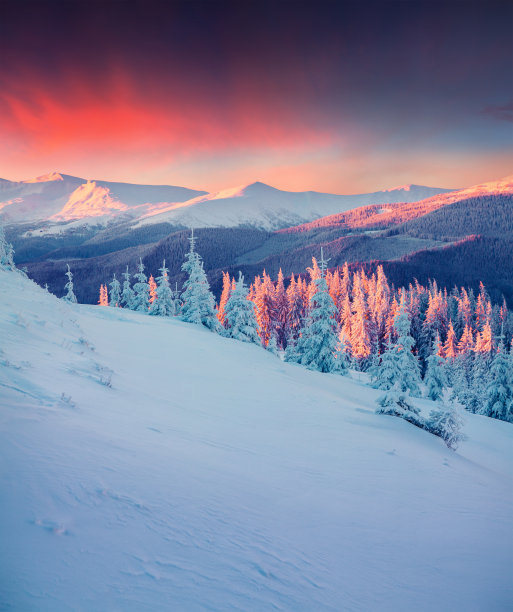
column 198, row 303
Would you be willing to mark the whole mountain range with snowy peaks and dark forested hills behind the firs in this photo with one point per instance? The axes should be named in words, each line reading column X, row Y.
column 459, row 237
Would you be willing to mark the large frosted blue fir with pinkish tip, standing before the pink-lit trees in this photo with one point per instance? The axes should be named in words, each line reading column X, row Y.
column 318, row 348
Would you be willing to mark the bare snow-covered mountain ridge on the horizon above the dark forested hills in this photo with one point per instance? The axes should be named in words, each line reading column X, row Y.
column 57, row 198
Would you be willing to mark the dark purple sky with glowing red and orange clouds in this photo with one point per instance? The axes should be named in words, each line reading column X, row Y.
column 342, row 97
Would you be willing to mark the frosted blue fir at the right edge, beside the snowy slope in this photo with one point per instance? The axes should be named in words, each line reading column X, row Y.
column 499, row 393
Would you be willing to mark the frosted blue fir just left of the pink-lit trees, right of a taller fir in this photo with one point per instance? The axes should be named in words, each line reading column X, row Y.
column 239, row 315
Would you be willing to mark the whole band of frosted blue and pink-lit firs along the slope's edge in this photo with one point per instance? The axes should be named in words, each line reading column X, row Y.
column 415, row 341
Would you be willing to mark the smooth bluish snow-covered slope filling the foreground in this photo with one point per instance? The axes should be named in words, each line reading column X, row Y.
column 148, row 464
